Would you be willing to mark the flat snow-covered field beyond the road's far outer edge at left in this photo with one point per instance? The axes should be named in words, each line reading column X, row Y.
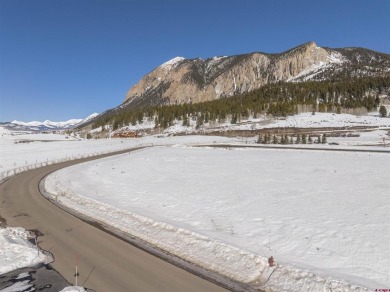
column 16, row 157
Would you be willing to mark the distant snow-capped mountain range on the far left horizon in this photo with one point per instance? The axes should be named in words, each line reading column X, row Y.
column 47, row 125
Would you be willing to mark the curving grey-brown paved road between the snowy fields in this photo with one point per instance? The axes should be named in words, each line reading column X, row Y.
column 106, row 263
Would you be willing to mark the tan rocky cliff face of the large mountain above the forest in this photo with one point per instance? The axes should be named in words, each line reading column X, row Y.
column 183, row 81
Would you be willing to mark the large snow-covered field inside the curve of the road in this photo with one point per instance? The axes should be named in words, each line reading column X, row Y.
column 232, row 209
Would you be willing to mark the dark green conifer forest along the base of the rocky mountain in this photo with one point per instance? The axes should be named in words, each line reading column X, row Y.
column 277, row 99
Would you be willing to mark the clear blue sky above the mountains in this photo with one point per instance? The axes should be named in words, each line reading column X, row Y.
column 66, row 59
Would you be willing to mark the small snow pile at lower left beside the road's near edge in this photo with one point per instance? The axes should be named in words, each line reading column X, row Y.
column 16, row 251
